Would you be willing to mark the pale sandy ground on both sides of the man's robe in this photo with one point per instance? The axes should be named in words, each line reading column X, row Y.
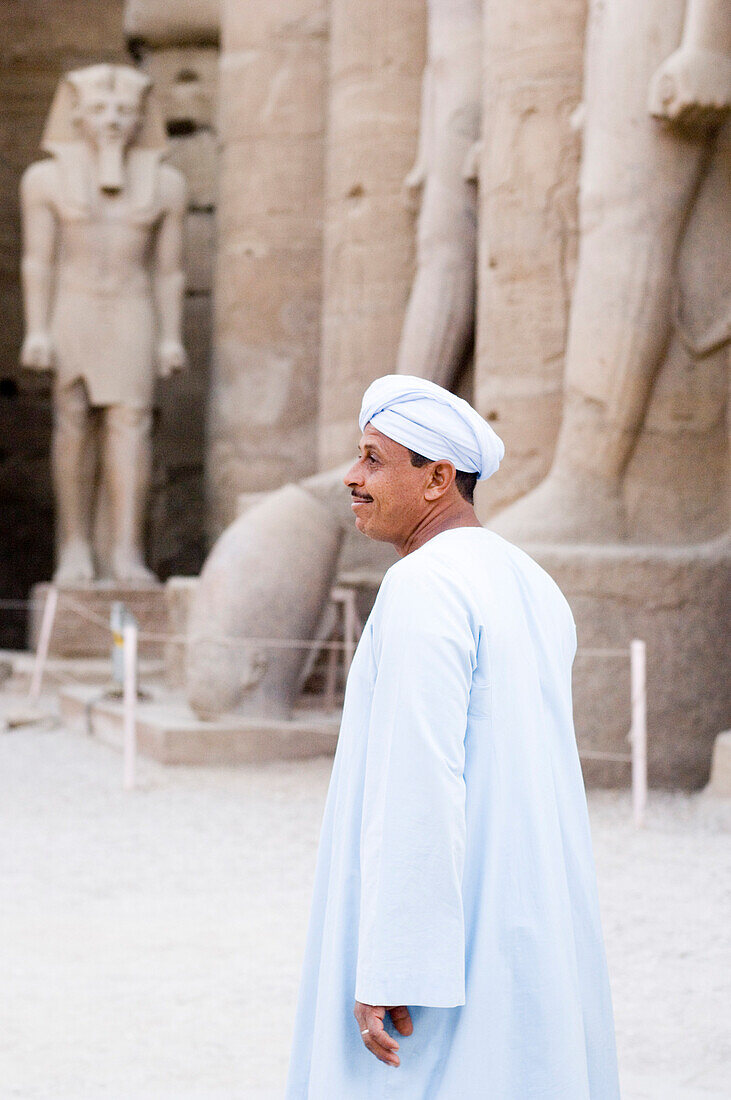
column 151, row 941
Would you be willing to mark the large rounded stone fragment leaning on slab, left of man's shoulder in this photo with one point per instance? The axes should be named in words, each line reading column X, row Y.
column 253, row 601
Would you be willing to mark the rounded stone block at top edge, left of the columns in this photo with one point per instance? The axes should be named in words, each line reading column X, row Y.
column 165, row 24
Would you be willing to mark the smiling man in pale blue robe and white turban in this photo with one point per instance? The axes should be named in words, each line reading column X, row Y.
column 456, row 898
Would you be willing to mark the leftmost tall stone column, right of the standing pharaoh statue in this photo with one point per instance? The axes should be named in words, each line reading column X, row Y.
column 263, row 416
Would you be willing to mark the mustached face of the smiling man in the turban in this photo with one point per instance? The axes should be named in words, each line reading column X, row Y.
column 389, row 493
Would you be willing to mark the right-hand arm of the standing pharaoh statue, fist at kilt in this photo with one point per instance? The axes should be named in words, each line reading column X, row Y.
column 169, row 279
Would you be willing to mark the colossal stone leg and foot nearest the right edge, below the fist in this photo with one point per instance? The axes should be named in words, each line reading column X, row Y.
column 637, row 189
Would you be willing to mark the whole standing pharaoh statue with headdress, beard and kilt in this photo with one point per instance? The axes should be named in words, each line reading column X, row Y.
column 103, row 283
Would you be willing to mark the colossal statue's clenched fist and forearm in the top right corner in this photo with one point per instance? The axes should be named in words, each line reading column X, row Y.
column 693, row 86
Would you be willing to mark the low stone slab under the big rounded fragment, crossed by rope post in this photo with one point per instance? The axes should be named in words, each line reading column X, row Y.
column 169, row 732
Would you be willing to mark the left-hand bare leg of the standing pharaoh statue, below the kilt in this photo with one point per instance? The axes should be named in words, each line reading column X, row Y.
column 73, row 463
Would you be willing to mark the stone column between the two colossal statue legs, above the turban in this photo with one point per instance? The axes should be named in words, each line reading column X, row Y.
column 528, row 229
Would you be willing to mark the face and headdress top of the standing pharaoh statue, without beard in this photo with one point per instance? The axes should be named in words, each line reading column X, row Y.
column 108, row 104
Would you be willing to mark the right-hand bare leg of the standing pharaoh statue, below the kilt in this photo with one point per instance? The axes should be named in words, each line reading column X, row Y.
column 127, row 469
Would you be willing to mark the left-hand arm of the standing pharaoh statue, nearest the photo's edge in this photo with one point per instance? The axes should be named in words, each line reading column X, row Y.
column 39, row 224
